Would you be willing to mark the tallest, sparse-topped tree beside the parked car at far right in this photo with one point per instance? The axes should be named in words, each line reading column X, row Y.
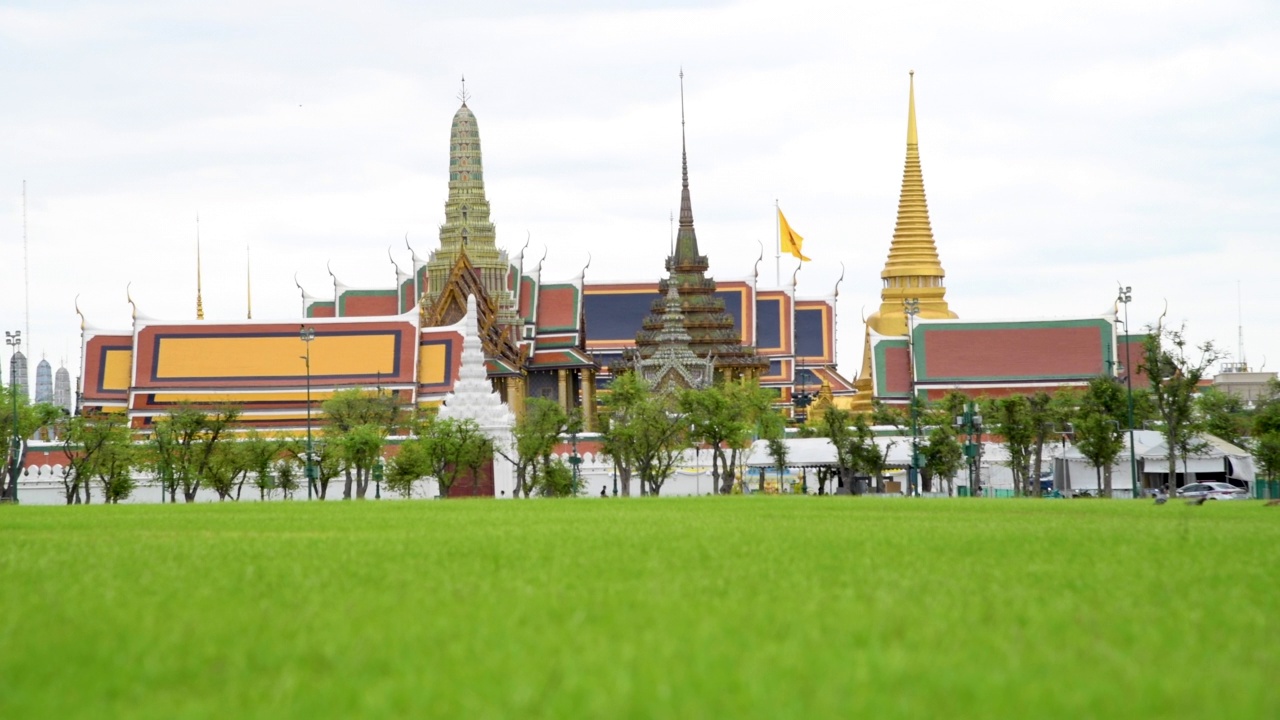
column 1176, row 379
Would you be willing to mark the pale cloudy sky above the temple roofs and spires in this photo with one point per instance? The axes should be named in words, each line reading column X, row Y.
column 1067, row 148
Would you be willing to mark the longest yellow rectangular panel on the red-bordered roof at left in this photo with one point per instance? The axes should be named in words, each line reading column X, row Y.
column 275, row 357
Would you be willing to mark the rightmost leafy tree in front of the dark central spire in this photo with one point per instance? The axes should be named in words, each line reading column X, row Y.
column 724, row 417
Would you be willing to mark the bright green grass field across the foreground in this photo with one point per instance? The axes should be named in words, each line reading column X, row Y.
column 700, row 608
